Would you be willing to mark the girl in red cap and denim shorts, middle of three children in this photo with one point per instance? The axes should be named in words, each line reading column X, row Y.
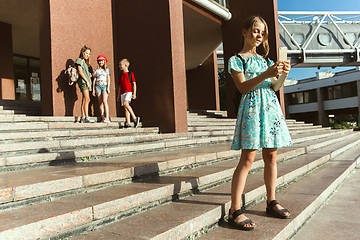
column 101, row 86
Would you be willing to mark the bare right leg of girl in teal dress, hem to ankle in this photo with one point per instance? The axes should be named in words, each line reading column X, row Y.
column 270, row 172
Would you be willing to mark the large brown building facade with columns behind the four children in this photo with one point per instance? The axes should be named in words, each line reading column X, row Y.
column 170, row 44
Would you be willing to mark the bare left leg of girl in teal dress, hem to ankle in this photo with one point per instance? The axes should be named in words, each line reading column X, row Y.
column 239, row 177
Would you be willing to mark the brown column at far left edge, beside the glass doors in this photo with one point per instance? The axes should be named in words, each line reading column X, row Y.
column 7, row 84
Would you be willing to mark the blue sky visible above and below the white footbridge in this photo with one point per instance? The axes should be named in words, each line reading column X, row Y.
column 316, row 5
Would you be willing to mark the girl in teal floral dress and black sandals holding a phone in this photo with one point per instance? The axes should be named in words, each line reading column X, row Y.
column 260, row 122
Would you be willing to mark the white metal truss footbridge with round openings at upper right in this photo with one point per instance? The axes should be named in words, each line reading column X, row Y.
column 321, row 38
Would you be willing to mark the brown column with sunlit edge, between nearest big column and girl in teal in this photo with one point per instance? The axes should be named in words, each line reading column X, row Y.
column 203, row 85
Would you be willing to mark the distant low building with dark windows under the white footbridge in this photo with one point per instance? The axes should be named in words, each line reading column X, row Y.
column 327, row 94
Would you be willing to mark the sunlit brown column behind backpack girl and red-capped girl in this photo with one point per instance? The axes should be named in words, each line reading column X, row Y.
column 65, row 27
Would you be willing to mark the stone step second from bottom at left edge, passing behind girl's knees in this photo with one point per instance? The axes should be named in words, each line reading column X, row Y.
column 54, row 179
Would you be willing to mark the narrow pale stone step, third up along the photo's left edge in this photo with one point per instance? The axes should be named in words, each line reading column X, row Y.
column 155, row 143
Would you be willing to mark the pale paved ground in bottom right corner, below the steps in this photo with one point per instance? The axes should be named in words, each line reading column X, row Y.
column 339, row 218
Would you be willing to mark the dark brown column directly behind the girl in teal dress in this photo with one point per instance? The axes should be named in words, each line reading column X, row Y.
column 231, row 32
